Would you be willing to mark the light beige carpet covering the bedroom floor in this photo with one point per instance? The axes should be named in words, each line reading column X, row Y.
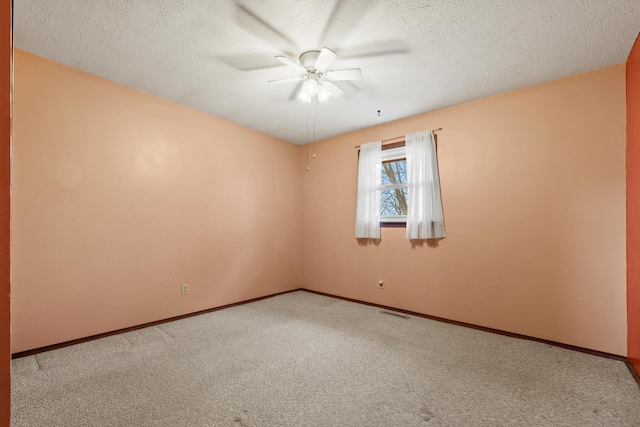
column 301, row 359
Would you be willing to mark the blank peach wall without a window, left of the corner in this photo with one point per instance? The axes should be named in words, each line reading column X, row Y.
column 120, row 197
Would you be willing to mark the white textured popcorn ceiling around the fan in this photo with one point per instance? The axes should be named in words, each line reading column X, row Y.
column 216, row 56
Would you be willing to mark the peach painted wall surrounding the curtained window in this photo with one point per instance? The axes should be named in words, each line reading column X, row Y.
column 533, row 188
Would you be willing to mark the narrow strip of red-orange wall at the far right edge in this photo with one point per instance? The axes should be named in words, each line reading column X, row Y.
column 633, row 204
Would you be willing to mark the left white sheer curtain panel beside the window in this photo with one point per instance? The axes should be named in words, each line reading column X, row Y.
column 368, row 200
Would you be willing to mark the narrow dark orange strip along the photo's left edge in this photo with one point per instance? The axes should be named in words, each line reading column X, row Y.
column 5, row 212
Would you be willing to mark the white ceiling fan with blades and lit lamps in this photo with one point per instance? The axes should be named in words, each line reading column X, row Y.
column 313, row 66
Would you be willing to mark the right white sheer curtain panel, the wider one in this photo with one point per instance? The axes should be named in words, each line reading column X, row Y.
column 424, row 205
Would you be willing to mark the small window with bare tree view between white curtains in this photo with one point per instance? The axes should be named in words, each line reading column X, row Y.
column 394, row 191
